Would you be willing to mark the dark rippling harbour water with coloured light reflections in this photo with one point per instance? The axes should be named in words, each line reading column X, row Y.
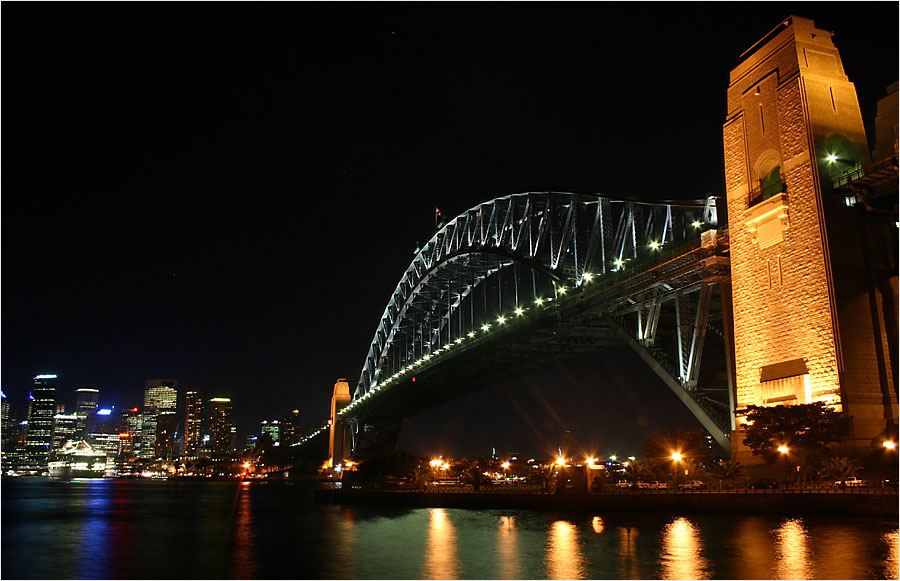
column 99, row 529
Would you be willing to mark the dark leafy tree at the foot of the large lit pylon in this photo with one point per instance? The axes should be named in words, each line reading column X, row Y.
column 806, row 428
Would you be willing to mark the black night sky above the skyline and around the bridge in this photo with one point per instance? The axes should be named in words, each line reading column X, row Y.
column 227, row 194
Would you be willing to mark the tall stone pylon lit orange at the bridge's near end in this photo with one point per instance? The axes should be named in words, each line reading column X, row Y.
column 810, row 323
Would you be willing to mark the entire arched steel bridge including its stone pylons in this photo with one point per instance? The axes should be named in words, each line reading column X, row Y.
column 794, row 301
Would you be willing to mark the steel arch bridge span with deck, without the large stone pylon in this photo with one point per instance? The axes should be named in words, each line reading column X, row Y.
column 522, row 281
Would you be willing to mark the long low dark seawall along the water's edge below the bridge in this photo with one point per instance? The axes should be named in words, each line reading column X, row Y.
column 884, row 505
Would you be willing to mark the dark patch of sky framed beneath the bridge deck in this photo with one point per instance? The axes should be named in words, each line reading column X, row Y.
column 608, row 401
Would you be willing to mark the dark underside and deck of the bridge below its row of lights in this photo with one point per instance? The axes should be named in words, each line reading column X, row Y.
column 585, row 320
